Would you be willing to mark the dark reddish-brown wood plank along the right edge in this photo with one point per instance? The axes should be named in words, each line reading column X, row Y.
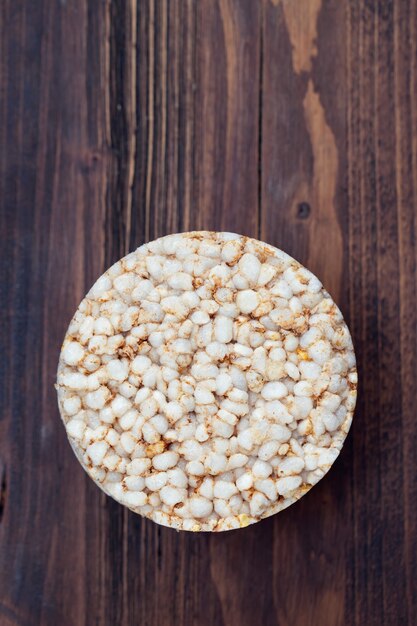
column 382, row 101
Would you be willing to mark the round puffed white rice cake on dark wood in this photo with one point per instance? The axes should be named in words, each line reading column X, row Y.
column 207, row 381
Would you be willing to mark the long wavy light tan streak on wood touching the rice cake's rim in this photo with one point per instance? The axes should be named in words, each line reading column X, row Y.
column 326, row 244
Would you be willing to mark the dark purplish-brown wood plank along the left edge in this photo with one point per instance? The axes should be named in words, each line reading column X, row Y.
column 53, row 171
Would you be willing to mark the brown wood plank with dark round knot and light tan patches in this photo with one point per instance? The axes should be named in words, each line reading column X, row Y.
column 303, row 211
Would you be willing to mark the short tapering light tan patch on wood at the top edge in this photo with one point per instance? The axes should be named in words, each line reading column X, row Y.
column 301, row 20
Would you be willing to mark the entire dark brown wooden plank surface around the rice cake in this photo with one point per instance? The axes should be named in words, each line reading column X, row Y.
column 290, row 120
